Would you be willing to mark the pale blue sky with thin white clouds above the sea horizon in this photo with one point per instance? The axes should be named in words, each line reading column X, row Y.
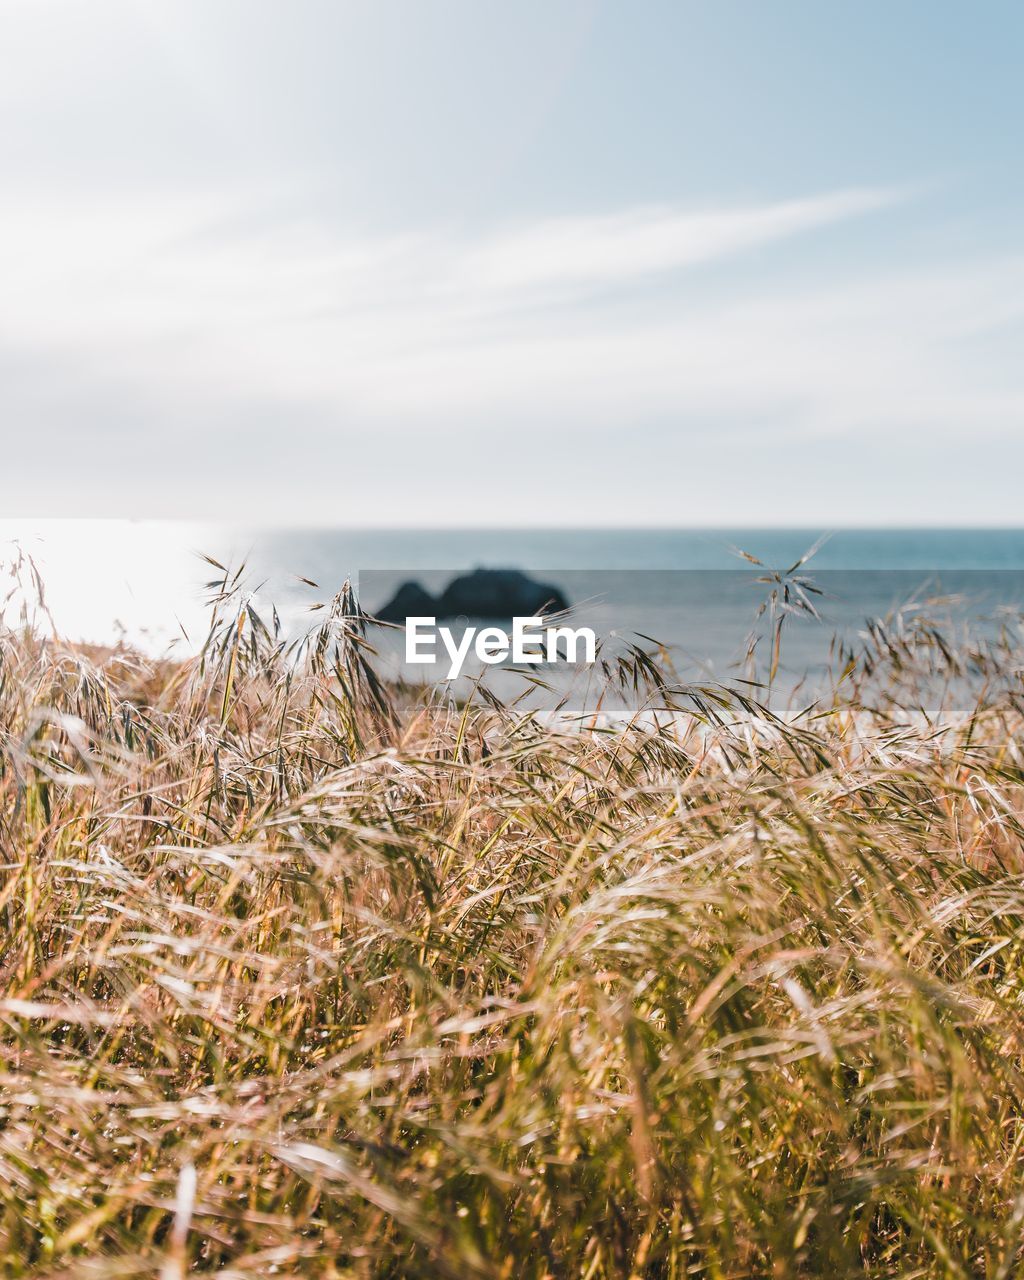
column 461, row 262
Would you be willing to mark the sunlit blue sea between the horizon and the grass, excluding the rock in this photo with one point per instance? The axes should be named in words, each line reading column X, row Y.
column 147, row 583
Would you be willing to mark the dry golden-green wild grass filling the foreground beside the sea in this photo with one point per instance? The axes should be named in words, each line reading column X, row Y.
column 309, row 977
